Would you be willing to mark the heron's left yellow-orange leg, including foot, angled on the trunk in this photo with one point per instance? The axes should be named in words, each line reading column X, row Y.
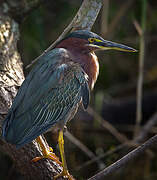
column 47, row 153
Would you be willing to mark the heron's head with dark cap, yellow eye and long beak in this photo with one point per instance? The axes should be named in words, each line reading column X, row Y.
column 90, row 41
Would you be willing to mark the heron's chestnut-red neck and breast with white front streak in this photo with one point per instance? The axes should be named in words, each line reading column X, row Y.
column 84, row 56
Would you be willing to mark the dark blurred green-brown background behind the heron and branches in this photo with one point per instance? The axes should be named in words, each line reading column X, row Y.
column 114, row 95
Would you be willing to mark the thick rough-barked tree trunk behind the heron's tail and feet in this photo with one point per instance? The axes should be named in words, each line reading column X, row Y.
column 11, row 76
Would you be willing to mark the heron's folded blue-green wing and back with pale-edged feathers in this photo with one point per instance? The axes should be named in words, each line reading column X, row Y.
column 45, row 99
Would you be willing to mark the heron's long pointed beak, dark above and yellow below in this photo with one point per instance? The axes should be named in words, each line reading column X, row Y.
column 106, row 45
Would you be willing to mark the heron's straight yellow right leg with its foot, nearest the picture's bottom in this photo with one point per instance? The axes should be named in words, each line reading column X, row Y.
column 65, row 172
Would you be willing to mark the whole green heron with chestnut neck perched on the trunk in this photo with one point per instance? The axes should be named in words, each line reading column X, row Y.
column 49, row 97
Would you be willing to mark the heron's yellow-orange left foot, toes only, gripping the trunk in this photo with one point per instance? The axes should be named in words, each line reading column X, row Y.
column 49, row 155
